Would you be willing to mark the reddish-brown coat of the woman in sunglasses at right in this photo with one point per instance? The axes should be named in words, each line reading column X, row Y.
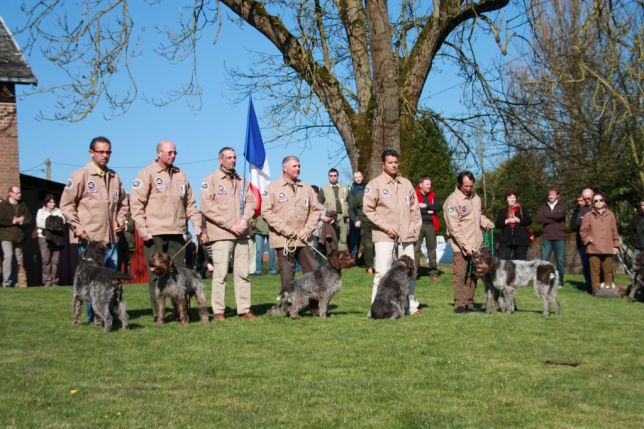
column 599, row 233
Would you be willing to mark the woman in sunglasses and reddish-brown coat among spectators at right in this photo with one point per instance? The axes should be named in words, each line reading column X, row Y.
column 599, row 233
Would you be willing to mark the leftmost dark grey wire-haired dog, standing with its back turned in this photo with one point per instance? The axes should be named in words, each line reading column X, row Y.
column 100, row 286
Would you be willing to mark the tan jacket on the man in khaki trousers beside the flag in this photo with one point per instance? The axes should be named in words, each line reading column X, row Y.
column 220, row 203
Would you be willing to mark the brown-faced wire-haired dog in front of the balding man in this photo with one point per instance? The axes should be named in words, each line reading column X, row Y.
column 179, row 284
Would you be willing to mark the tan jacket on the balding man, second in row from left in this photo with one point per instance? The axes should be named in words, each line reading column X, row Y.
column 161, row 201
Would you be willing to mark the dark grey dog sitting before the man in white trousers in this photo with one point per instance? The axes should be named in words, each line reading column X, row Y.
column 391, row 301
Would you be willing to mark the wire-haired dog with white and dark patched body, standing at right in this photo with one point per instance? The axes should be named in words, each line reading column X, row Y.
column 503, row 278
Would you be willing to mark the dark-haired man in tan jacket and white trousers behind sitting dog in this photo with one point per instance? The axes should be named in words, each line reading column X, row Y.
column 390, row 203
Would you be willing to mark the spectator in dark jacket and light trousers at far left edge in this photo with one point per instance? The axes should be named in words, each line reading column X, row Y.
column 14, row 221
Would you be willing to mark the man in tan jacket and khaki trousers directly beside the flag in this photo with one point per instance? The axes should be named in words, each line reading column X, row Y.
column 228, row 219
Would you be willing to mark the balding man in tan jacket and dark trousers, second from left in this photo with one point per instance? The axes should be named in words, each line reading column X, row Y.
column 161, row 202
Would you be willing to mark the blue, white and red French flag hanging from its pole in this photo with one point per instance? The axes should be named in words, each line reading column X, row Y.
column 255, row 154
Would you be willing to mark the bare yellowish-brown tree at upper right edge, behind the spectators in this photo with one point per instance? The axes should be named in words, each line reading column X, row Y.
column 577, row 94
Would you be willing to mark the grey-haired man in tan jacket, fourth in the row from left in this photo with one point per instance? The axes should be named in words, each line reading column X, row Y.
column 291, row 211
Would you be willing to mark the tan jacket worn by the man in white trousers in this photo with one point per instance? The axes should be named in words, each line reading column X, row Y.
column 392, row 203
